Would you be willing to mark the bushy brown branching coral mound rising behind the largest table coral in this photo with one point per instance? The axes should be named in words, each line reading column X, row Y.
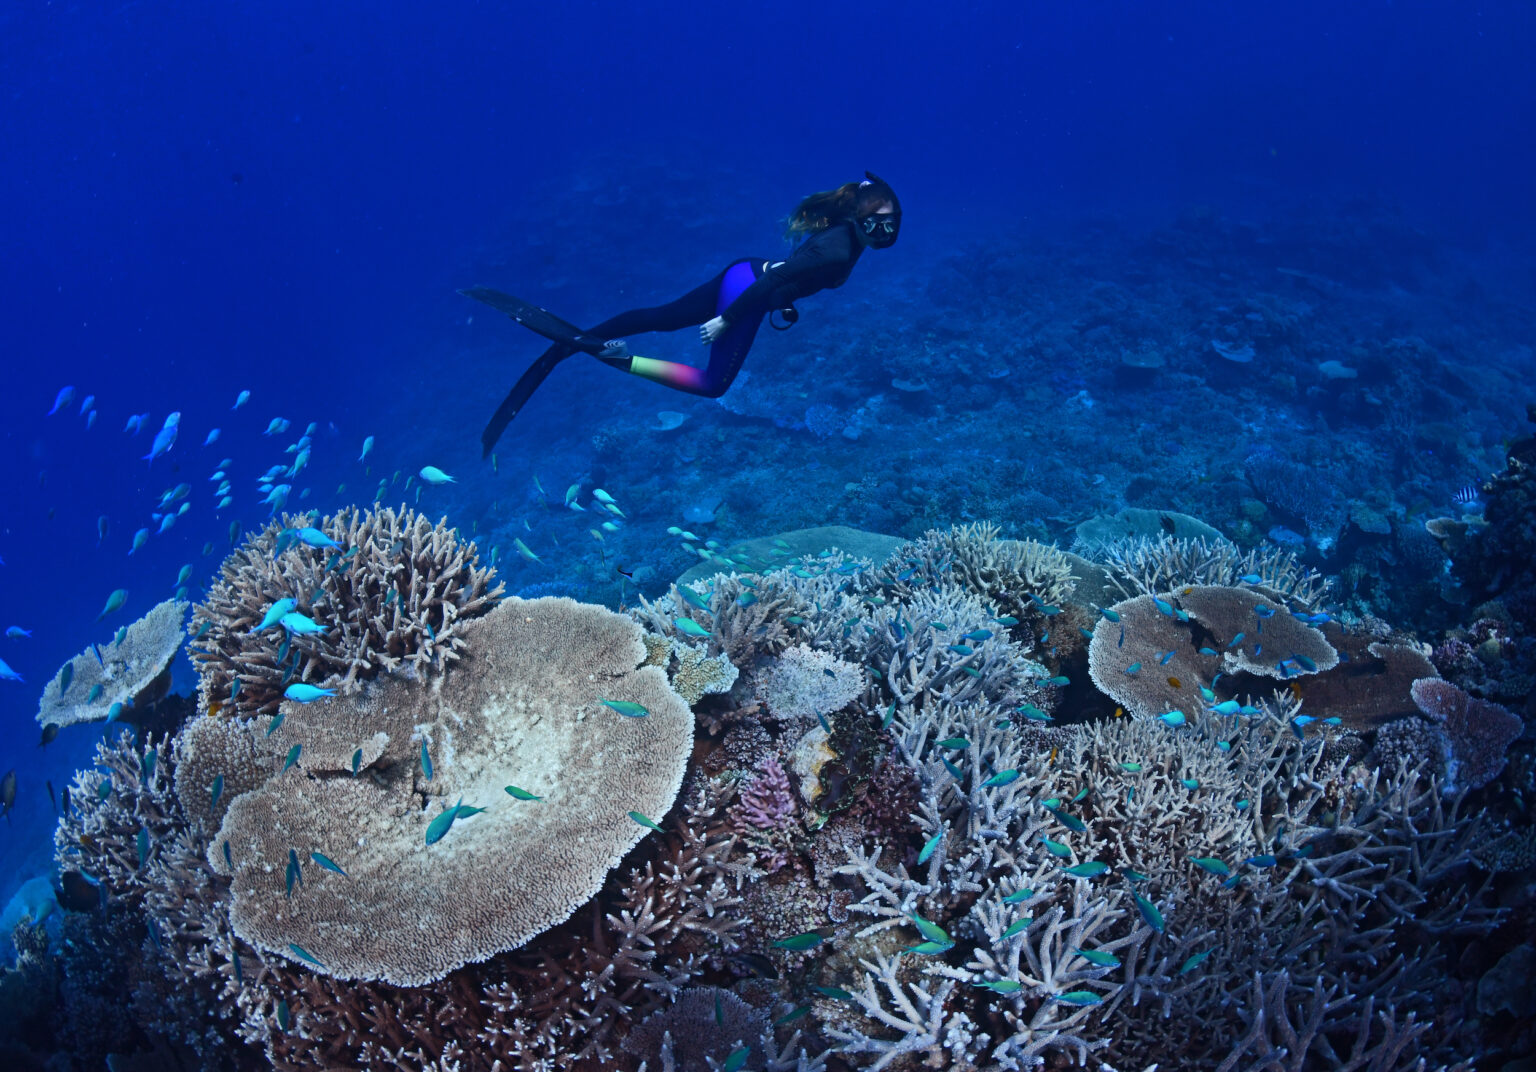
column 397, row 594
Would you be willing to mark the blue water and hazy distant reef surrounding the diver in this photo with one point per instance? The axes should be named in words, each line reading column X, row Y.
column 204, row 199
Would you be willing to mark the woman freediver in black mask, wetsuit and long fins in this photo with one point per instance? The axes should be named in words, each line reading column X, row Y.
column 838, row 227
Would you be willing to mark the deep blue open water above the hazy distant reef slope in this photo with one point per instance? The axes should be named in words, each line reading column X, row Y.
column 204, row 197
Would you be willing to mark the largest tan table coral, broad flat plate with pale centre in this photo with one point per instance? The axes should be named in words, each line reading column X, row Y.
column 521, row 707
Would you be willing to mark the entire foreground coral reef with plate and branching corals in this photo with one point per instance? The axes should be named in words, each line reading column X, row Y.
column 956, row 802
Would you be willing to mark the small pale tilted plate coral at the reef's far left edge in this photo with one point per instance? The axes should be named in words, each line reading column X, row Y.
column 133, row 672
